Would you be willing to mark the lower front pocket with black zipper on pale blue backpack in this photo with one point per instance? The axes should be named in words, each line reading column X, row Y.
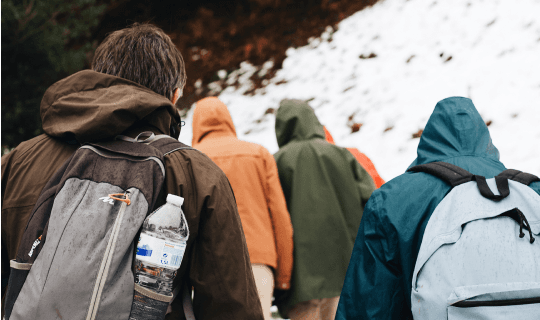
column 520, row 300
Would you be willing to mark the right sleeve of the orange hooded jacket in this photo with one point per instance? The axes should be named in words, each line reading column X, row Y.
column 281, row 222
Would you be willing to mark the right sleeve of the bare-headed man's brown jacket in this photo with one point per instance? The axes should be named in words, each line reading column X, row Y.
column 217, row 262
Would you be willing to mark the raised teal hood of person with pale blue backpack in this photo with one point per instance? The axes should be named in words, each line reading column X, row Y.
column 454, row 129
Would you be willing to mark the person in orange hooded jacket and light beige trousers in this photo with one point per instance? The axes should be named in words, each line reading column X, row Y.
column 253, row 175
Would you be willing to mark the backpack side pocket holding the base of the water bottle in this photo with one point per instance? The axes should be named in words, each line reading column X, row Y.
column 148, row 304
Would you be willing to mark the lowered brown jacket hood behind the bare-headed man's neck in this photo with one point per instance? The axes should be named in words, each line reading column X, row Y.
column 91, row 106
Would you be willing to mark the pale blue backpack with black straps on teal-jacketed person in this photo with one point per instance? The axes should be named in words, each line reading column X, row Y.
column 478, row 258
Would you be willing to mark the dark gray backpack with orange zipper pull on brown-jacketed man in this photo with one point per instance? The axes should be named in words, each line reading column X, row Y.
column 76, row 255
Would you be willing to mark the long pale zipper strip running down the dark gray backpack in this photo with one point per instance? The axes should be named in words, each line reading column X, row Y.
column 105, row 263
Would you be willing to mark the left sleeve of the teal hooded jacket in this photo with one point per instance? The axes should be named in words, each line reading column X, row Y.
column 374, row 287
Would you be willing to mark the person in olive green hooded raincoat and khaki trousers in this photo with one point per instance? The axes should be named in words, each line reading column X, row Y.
column 326, row 190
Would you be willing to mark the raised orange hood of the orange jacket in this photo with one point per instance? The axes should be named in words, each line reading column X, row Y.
column 211, row 117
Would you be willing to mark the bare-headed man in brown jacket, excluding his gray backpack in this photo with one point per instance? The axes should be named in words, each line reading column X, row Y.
column 137, row 76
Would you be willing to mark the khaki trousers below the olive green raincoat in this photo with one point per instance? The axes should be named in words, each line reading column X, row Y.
column 316, row 309
